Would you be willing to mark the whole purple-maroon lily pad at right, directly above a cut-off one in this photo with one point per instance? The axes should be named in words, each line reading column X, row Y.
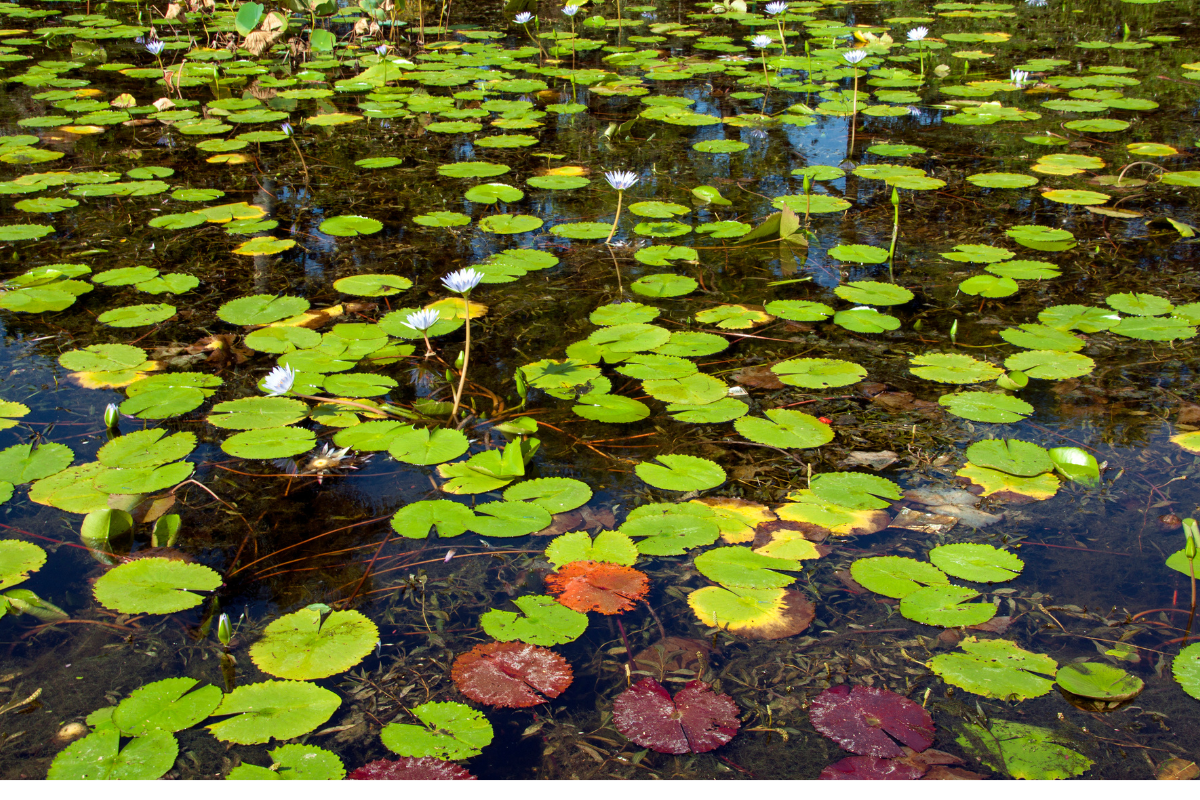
column 867, row 720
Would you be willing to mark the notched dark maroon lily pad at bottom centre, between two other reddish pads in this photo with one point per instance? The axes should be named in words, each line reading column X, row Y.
column 697, row 721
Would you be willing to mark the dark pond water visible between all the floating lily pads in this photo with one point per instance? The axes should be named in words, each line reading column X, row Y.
column 1094, row 557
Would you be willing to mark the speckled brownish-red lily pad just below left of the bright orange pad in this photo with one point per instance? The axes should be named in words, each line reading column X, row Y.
column 511, row 675
